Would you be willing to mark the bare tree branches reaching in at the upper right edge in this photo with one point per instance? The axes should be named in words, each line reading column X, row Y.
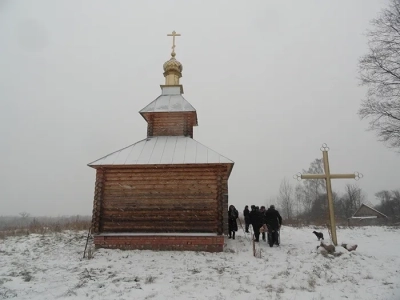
column 380, row 71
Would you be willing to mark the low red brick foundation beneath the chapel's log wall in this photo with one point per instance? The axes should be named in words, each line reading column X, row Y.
column 161, row 242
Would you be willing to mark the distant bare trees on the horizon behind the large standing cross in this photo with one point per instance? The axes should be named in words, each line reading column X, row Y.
column 307, row 201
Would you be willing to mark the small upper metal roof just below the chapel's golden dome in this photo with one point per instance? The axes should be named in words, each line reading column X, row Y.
column 171, row 100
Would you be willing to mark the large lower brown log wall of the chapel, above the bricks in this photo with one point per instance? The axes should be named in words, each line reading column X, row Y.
column 170, row 198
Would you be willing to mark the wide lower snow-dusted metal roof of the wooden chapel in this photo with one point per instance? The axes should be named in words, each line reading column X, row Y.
column 163, row 150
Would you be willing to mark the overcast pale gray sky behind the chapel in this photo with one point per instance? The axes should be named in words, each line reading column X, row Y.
column 270, row 80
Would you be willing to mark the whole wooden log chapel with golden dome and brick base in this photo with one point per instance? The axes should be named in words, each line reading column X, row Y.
column 167, row 191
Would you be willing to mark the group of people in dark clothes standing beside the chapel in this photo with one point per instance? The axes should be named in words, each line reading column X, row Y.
column 268, row 220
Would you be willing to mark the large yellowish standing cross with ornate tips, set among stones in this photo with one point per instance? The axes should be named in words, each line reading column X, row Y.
column 328, row 176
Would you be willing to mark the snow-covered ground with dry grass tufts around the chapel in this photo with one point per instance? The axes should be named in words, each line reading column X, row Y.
column 50, row 266
